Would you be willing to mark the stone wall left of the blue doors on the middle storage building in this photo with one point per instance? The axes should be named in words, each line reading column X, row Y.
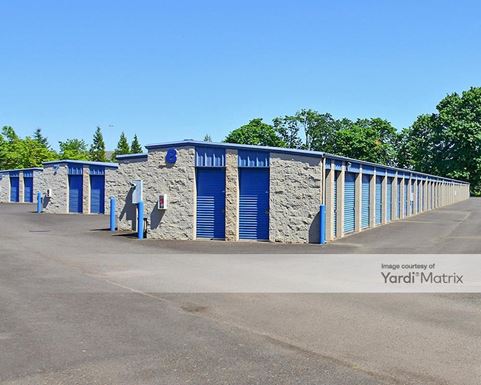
column 57, row 180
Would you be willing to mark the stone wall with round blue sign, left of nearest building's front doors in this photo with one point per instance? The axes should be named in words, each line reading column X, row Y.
column 176, row 180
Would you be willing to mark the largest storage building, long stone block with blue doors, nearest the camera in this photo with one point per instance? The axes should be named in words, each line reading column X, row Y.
column 238, row 192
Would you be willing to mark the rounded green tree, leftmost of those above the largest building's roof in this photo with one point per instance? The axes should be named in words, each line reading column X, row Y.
column 256, row 132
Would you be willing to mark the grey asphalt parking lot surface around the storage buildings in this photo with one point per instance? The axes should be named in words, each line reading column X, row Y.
column 79, row 305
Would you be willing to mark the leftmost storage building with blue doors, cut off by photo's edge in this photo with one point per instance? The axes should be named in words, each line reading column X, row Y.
column 19, row 185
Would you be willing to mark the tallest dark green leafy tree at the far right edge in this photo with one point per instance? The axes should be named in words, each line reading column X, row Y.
column 448, row 142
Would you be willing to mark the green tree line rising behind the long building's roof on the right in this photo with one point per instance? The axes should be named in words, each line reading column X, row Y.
column 446, row 142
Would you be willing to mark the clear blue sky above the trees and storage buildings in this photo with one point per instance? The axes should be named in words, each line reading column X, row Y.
column 170, row 70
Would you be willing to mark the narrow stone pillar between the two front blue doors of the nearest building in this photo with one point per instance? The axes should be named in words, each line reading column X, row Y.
column 231, row 196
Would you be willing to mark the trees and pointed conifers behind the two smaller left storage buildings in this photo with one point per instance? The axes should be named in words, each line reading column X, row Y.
column 32, row 151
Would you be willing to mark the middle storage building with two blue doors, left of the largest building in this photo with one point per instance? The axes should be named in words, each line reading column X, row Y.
column 74, row 186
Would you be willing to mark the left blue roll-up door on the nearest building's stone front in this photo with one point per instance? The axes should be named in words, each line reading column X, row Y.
column 210, row 203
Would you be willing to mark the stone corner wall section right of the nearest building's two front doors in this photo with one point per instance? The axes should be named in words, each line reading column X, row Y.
column 295, row 196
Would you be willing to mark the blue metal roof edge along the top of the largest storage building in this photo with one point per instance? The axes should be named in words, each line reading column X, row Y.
column 318, row 154
